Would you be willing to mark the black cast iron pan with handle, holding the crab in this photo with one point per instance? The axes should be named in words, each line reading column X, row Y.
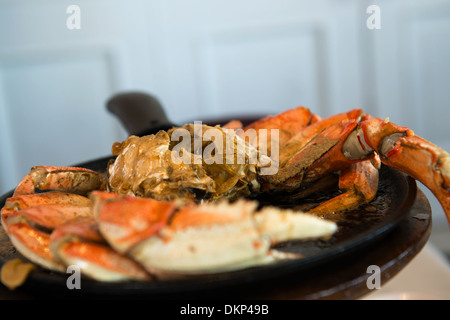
column 357, row 230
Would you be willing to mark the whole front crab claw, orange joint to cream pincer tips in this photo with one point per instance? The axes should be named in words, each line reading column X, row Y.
column 170, row 241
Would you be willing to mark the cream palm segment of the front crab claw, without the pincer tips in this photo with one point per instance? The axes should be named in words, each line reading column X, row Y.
column 205, row 239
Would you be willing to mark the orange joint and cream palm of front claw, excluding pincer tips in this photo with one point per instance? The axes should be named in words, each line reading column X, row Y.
column 197, row 240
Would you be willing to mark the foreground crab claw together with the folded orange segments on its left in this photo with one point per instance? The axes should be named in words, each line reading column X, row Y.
column 120, row 237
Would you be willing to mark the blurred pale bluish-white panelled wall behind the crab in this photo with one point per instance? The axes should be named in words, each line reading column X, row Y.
column 204, row 58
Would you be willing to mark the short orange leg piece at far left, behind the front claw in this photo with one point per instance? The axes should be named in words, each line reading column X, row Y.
column 69, row 179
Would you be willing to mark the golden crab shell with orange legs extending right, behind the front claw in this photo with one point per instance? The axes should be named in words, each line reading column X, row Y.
column 305, row 148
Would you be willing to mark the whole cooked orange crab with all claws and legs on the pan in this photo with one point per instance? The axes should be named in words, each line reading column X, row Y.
column 166, row 216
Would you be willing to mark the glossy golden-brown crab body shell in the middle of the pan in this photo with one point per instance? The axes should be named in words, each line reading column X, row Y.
column 148, row 166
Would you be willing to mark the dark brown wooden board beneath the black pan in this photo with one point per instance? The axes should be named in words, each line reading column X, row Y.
column 346, row 278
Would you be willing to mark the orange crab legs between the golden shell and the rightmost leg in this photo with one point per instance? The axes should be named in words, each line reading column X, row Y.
column 307, row 160
